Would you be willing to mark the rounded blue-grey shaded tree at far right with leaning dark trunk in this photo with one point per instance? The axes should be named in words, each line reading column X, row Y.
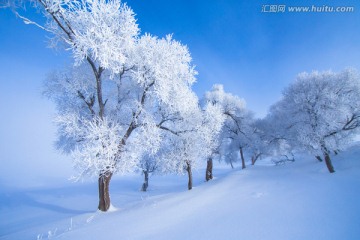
column 320, row 112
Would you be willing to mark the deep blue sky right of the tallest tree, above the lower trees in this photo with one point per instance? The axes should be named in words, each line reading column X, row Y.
column 254, row 54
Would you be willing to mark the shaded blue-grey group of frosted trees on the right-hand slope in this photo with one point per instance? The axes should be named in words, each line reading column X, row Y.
column 319, row 113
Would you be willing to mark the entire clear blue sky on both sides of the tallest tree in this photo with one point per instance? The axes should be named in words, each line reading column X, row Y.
column 254, row 54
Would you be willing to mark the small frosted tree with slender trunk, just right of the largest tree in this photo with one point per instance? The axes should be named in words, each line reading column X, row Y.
column 191, row 140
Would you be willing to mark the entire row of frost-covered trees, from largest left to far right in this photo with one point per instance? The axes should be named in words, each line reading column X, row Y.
column 127, row 103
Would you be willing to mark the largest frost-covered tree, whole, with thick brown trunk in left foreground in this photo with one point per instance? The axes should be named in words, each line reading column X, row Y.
column 112, row 102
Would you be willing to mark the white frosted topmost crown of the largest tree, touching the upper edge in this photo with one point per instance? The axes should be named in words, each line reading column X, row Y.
column 104, row 30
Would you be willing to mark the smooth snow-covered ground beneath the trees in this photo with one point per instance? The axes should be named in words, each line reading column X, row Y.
column 299, row 200
